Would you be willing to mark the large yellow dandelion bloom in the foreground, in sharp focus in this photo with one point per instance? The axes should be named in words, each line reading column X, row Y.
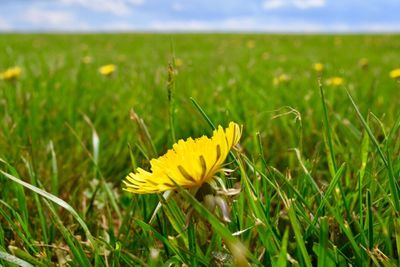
column 189, row 163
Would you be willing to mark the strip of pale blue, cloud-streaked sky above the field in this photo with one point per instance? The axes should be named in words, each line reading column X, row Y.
column 201, row 15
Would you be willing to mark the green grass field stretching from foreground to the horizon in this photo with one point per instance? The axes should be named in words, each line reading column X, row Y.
column 318, row 167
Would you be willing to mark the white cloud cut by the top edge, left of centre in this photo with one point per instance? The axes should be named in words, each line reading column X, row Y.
column 116, row 7
